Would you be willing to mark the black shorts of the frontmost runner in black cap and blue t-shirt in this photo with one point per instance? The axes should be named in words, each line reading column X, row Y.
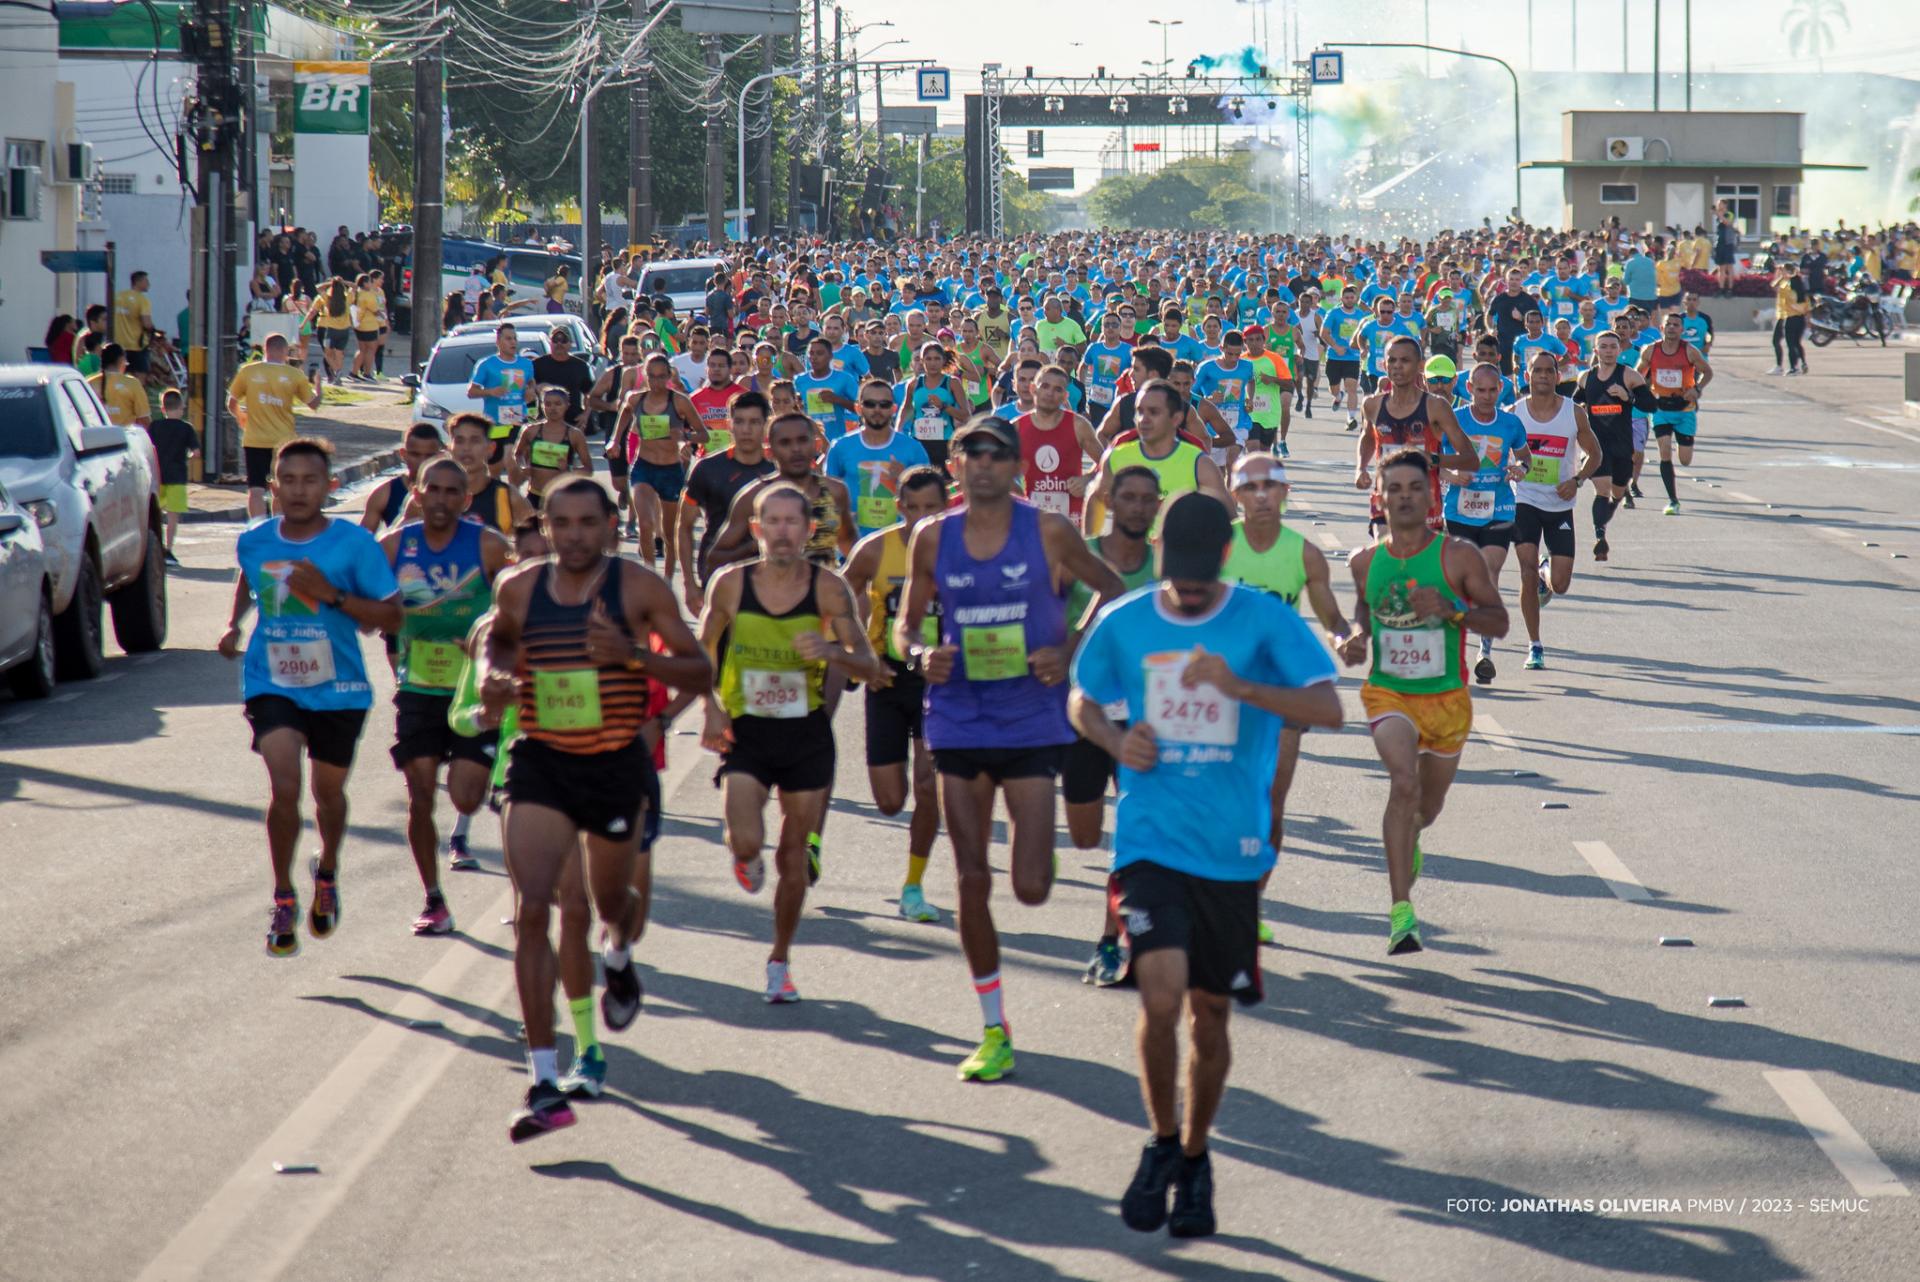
column 1216, row 924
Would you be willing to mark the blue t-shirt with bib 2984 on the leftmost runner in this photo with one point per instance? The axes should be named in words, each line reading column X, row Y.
column 302, row 650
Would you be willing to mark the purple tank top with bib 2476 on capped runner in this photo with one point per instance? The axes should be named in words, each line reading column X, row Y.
column 997, row 611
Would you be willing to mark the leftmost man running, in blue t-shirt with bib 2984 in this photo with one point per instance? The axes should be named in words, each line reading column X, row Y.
column 318, row 582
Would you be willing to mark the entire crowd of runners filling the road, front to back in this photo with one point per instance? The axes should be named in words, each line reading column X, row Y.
column 1024, row 502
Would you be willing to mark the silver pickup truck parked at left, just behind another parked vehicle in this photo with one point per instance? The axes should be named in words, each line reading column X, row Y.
column 95, row 492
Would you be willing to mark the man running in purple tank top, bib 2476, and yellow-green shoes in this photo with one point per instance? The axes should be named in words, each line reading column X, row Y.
column 996, row 713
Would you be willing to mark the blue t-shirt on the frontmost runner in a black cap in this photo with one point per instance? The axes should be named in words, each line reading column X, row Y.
column 1205, row 809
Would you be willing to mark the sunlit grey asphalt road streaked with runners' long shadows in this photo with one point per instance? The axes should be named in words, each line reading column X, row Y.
column 1729, row 723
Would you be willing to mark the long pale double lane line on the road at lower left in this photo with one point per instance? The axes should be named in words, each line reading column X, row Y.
column 287, row 1225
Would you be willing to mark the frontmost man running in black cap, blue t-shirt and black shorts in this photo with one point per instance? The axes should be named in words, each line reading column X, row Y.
column 1209, row 675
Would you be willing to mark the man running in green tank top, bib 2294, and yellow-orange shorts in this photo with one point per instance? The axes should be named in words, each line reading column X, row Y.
column 1418, row 596
